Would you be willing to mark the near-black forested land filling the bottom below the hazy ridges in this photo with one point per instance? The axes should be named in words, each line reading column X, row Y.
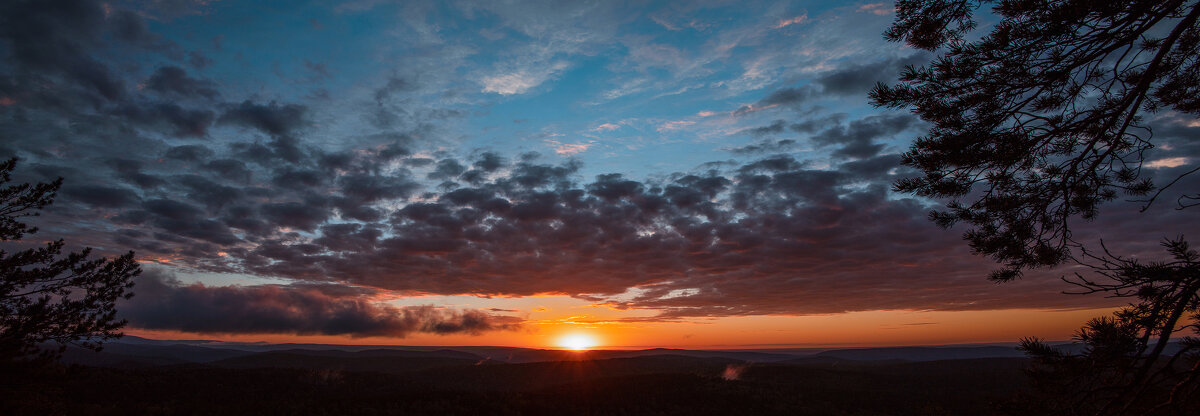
column 386, row 383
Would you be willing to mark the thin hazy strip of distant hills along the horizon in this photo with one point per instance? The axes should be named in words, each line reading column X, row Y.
column 142, row 352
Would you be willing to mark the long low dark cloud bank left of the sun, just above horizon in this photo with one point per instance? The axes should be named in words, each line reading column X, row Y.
column 161, row 303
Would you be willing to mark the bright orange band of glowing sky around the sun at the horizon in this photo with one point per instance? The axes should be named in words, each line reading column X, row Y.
column 547, row 330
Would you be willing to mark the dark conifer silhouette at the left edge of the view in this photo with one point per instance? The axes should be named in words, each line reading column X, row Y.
column 50, row 300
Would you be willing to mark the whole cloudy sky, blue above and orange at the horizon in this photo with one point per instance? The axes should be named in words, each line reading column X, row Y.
column 703, row 174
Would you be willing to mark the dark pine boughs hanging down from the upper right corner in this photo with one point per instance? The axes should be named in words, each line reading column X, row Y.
column 1041, row 120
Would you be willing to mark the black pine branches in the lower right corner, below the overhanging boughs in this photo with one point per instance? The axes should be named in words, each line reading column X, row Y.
column 1125, row 367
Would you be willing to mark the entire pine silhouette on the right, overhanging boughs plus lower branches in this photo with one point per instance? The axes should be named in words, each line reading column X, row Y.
column 1040, row 124
